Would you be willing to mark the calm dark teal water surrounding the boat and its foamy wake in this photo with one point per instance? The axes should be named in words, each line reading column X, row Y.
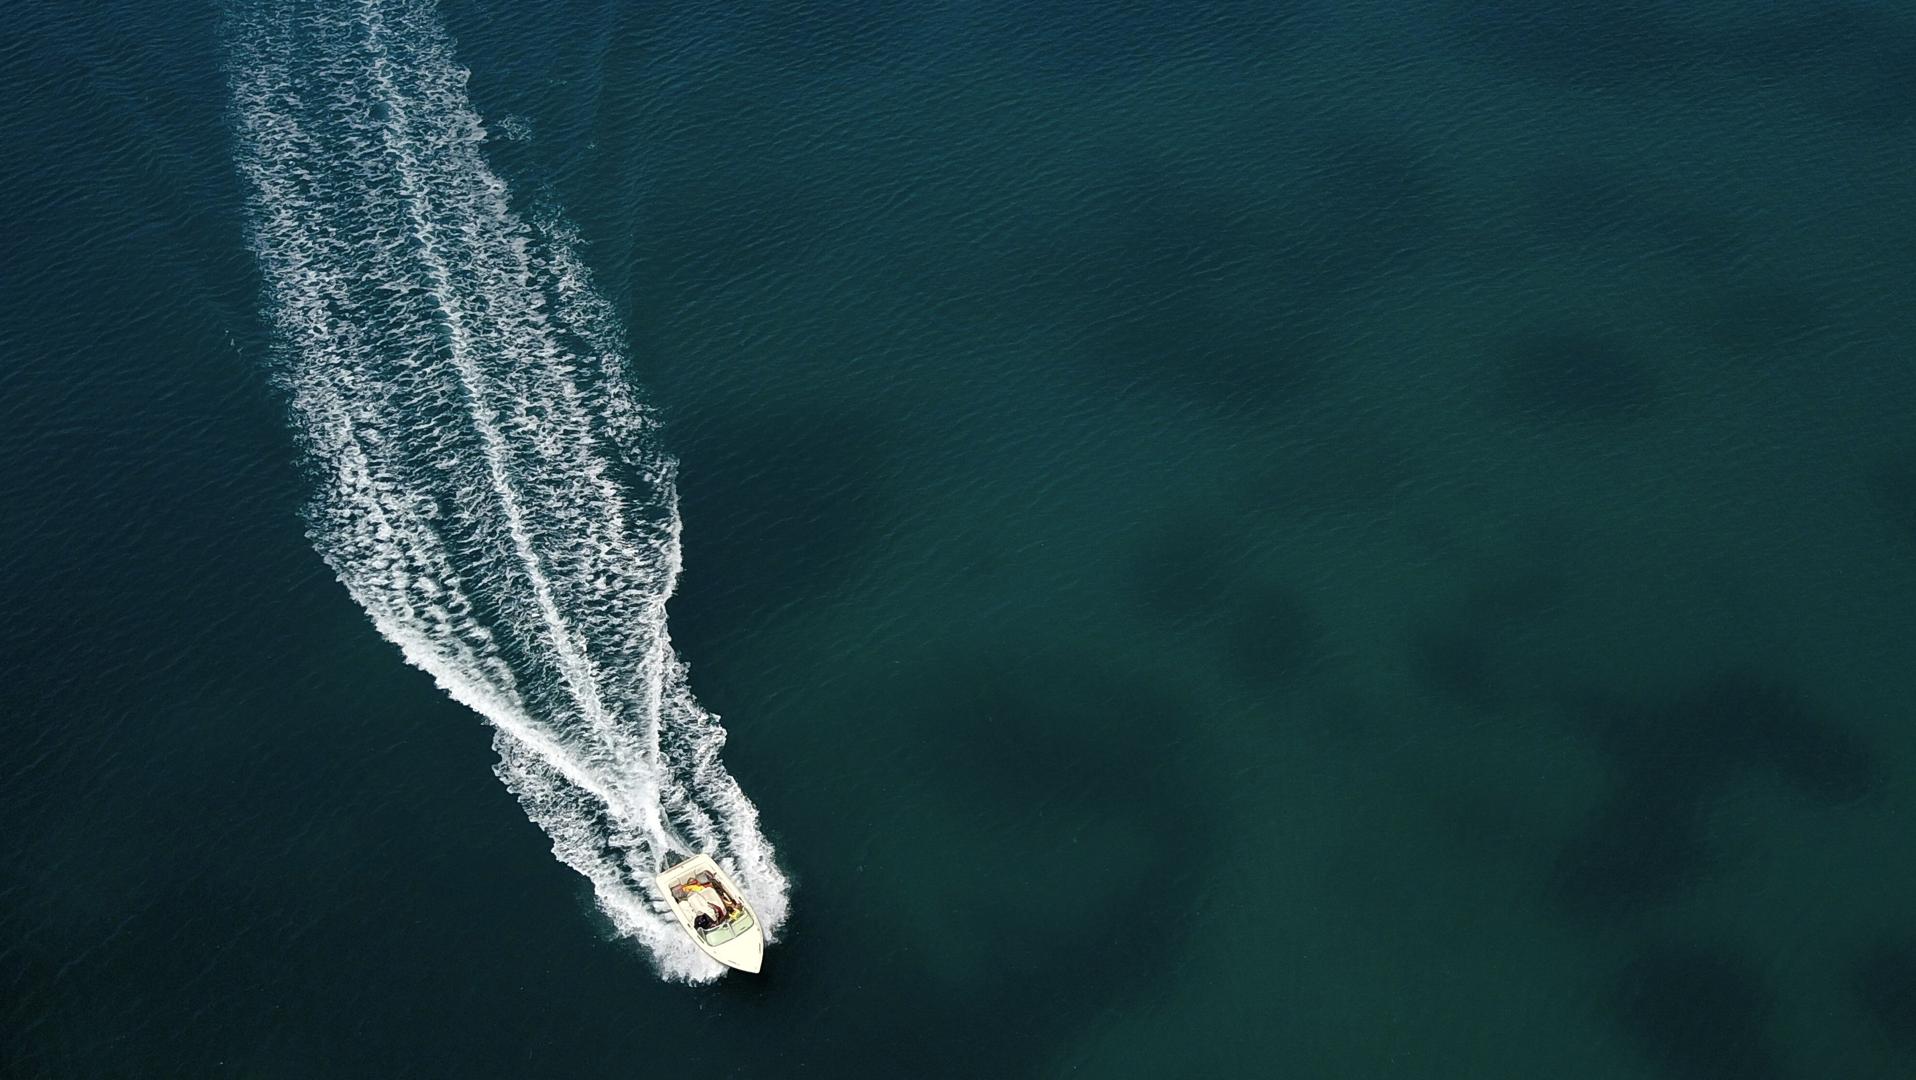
column 1285, row 541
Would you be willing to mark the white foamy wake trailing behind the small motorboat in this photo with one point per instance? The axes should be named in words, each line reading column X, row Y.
column 488, row 484
